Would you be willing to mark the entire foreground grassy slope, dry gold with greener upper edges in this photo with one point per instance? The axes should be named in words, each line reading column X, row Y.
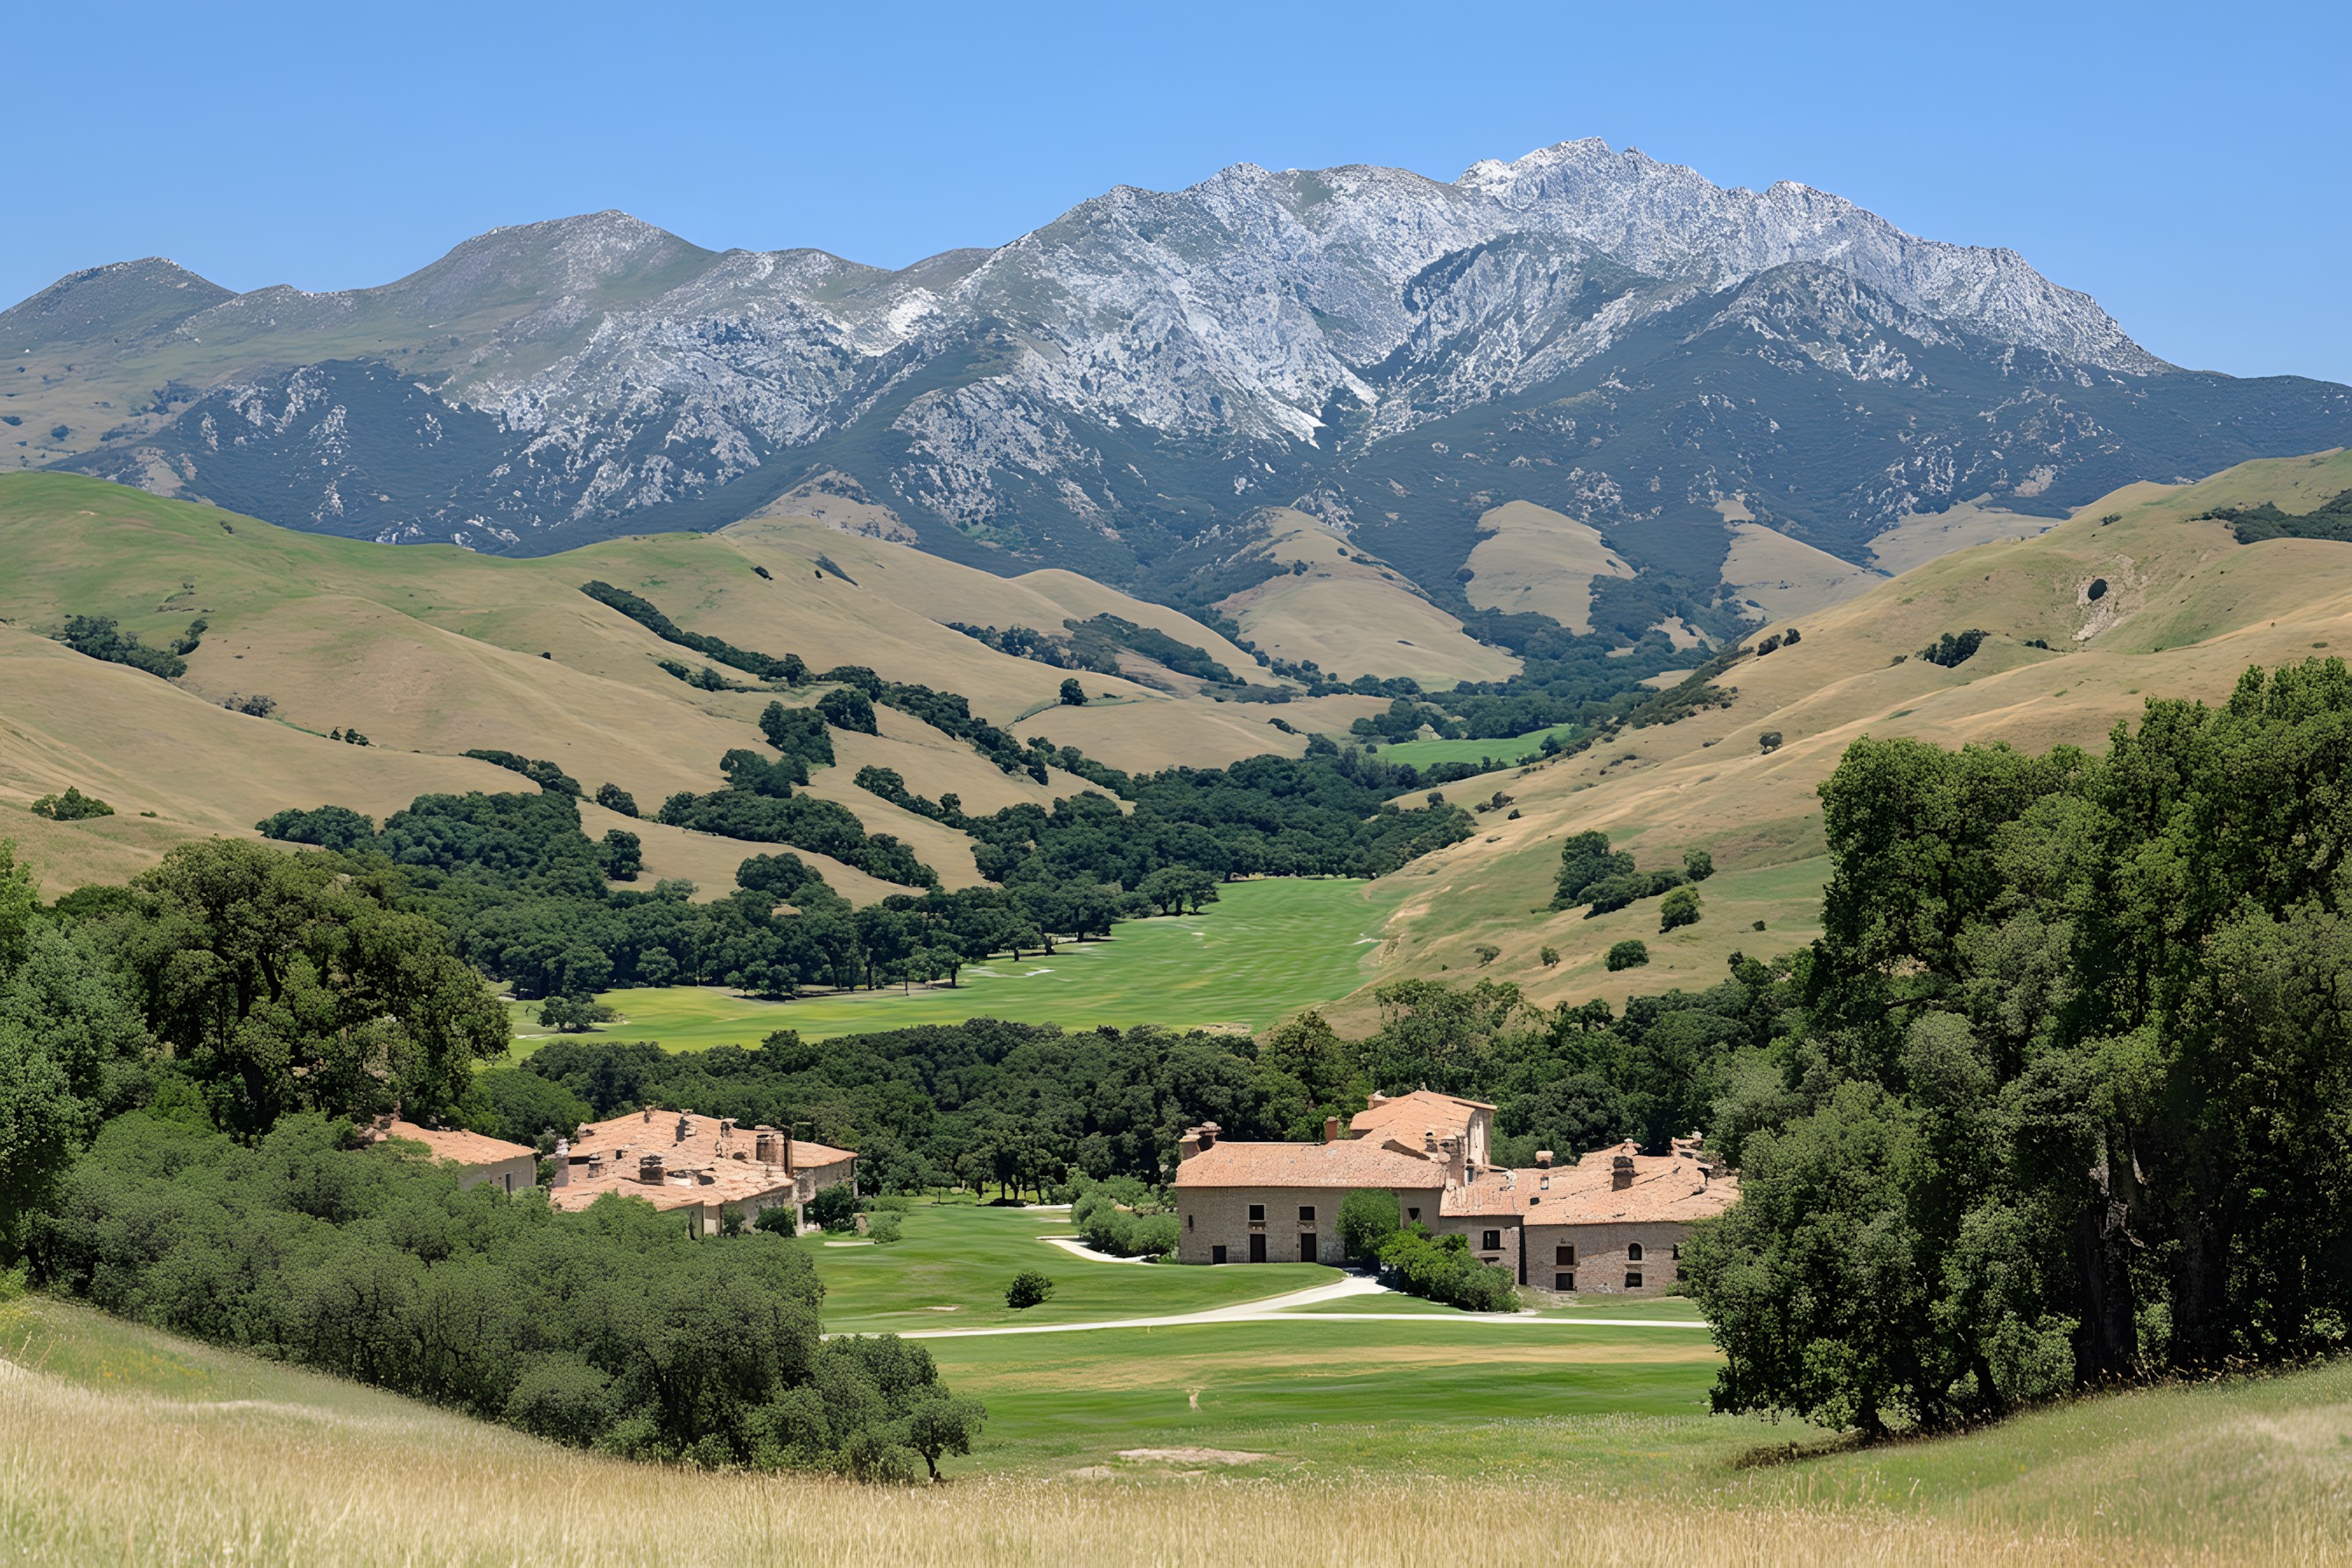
column 147, row 1449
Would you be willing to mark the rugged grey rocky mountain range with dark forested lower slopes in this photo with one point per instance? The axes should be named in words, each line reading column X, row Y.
column 1130, row 389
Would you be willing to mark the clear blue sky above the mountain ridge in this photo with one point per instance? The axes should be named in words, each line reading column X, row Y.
column 2186, row 166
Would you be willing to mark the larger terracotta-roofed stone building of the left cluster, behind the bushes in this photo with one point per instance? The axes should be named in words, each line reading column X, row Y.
column 693, row 1165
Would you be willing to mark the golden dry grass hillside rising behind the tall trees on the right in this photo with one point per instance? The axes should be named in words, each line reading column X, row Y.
column 2137, row 608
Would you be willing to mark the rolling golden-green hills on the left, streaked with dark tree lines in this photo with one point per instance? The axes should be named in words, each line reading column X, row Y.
column 434, row 652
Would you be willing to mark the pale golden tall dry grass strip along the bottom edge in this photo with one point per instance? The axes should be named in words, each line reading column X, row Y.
column 138, row 1477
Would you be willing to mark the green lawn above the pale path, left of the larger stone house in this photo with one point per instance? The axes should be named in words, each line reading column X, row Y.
column 963, row 1257
